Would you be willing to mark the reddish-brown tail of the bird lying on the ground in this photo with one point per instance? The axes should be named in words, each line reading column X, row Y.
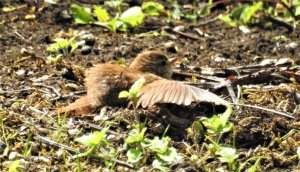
column 81, row 106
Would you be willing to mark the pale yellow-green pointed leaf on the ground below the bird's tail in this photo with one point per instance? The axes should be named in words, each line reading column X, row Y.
column 94, row 138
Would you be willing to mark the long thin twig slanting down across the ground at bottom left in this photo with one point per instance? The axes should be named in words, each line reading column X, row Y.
column 73, row 151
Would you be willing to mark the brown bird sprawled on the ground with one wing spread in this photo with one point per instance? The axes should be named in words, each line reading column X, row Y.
column 104, row 82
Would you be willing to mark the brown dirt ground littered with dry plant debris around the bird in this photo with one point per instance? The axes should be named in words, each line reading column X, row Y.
column 30, row 86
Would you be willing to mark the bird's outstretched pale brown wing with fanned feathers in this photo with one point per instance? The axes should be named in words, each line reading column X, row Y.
column 166, row 91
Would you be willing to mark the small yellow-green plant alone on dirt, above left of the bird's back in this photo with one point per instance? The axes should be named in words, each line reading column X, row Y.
column 61, row 48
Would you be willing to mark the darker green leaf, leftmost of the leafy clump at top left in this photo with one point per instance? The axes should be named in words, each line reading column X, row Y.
column 81, row 15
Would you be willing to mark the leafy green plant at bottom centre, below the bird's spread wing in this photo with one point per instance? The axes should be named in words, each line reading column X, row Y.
column 140, row 149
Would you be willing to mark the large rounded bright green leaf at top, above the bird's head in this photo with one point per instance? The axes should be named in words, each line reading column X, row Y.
column 133, row 16
